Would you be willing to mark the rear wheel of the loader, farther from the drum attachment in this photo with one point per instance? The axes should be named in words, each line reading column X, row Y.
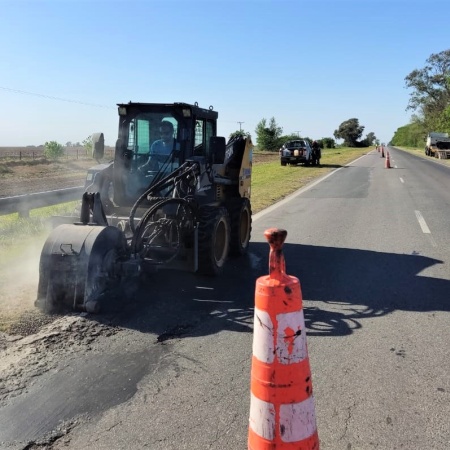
column 240, row 213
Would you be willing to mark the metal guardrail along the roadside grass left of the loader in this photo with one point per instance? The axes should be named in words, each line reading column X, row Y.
column 23, row 204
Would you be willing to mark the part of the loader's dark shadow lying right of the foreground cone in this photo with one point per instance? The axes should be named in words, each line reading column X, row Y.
column 360, row 284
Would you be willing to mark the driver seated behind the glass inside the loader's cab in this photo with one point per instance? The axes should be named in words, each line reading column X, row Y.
column 164, row 151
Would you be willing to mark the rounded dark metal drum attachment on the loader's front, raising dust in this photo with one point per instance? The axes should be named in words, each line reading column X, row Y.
column 78, row 264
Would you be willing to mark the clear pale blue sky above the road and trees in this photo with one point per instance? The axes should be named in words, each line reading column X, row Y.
column 311, row 64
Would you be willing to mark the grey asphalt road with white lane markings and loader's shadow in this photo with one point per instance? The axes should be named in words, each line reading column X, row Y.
column 170, row 368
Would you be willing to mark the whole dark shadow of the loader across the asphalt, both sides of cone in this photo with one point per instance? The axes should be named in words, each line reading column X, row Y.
column 341, row 287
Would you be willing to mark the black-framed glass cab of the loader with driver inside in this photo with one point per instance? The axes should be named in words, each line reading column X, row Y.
column 143, row 158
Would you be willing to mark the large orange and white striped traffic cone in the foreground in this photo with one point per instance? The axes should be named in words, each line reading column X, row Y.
column 282, row 411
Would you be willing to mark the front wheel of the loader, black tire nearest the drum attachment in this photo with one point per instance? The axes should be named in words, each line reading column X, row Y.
column 213, row 239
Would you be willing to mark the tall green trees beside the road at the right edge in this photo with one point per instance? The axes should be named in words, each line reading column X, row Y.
column 429, row 100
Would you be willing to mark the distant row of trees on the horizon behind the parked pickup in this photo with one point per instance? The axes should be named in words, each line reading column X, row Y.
column 269, row 135
